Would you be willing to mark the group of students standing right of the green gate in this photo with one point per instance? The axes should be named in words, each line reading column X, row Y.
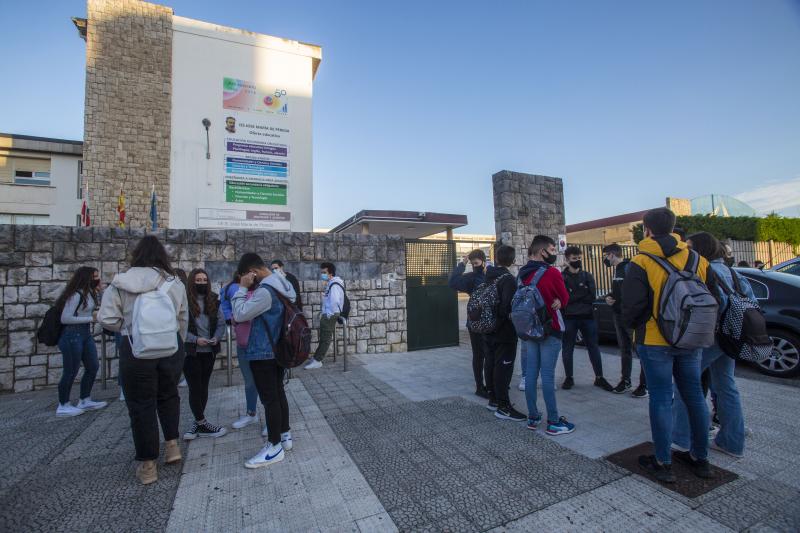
column 679, row 429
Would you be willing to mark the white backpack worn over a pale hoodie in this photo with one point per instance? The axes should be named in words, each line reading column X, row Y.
column 154, row 329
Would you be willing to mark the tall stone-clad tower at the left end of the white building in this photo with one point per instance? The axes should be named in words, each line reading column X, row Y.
column 128, row 108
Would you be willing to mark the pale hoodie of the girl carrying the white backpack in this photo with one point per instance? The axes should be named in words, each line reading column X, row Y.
column 116, row 310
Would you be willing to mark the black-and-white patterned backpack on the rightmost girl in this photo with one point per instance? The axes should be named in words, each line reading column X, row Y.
column 743, row 331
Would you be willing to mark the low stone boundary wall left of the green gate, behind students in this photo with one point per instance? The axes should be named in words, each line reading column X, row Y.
column 37, row 261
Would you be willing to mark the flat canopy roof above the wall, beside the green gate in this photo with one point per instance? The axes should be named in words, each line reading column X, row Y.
column 409, row 224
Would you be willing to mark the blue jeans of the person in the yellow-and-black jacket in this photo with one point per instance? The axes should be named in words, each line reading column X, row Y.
column 661, row 363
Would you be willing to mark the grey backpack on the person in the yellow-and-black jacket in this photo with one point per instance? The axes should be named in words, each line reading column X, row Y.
column 687, row 311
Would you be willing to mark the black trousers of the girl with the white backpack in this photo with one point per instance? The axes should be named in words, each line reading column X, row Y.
column 151, row 394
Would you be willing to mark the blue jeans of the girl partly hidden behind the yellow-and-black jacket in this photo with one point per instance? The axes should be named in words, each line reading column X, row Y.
column 729, row 405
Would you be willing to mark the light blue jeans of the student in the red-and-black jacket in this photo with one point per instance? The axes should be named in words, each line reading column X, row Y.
column 542, row 357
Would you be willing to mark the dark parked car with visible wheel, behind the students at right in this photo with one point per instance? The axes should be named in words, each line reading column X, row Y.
column 778, row 293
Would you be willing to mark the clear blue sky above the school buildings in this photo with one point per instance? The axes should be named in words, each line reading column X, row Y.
column 417, row 104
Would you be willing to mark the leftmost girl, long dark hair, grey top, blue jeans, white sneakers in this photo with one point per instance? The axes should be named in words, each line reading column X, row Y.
column 79, row 303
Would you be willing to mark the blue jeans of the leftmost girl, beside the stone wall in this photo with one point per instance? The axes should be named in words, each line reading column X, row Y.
column 77, row 346
